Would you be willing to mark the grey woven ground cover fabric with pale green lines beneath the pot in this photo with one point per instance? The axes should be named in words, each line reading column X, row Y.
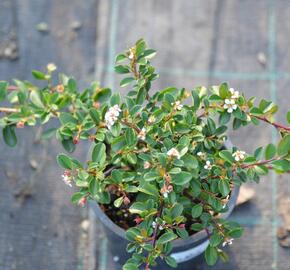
column 244, row 42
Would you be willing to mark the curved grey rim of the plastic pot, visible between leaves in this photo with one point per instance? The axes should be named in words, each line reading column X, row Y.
column 196, row 237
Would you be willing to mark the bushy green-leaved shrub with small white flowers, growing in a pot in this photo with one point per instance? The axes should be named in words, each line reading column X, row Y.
column 160, row 167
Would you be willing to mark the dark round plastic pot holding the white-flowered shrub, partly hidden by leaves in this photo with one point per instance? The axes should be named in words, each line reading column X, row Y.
column 184, row 251
